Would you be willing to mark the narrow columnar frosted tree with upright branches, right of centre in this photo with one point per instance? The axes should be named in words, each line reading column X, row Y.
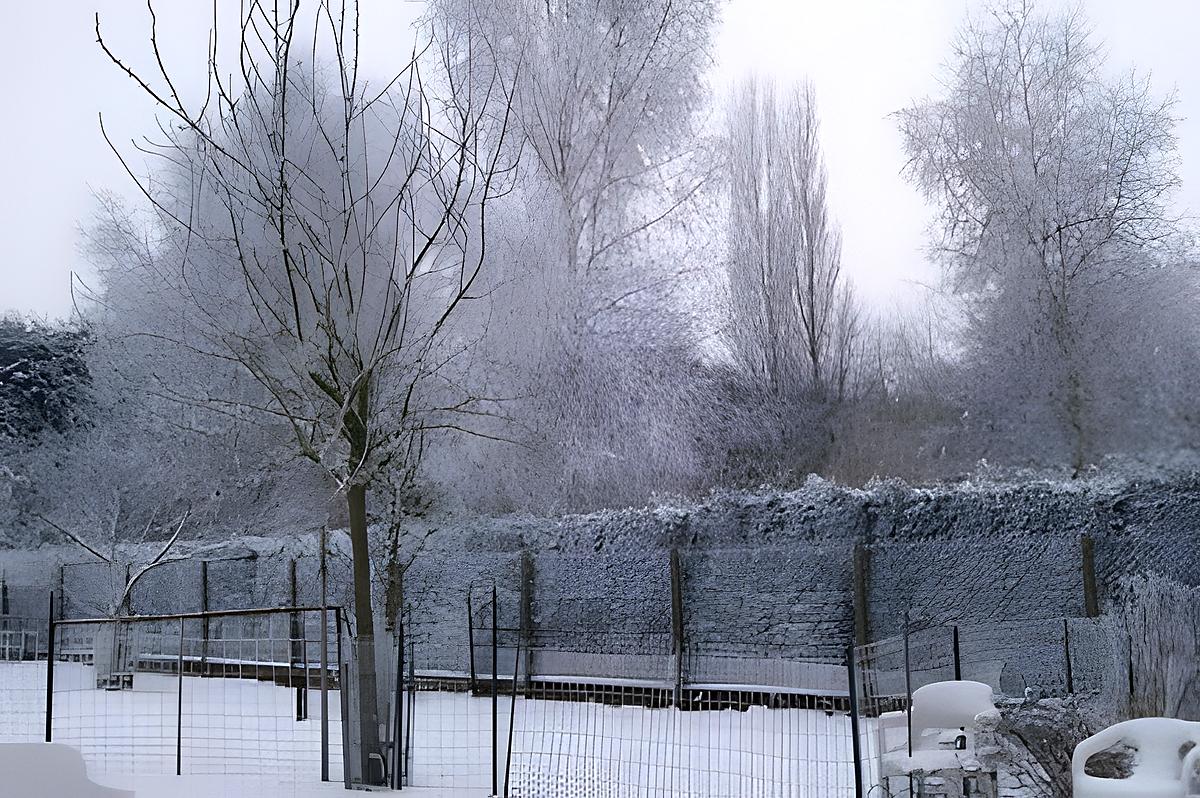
column 795, row 323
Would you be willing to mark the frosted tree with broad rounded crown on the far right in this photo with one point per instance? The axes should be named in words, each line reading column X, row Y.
column 1048, row 176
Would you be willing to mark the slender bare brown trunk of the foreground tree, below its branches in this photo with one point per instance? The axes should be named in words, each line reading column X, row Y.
column 364, row 622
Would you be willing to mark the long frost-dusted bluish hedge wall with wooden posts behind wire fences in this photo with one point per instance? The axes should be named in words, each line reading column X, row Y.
column 761, row 571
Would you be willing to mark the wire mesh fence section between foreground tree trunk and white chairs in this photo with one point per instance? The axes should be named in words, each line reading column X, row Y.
column 562, row 713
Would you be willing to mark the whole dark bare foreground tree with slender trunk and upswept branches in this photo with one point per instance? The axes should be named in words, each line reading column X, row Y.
column 321, row 235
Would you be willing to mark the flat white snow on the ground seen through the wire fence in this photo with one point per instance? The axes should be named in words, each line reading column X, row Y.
column 241, row 739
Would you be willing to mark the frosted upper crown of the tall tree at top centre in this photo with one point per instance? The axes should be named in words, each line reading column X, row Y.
column 604, row 99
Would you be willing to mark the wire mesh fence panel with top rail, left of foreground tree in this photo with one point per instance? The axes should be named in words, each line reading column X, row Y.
column 225, row 693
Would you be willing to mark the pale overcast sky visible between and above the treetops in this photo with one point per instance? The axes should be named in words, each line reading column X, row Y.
column 867, row 59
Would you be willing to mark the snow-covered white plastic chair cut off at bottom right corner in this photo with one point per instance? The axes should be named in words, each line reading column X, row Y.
column 1159, row 765
